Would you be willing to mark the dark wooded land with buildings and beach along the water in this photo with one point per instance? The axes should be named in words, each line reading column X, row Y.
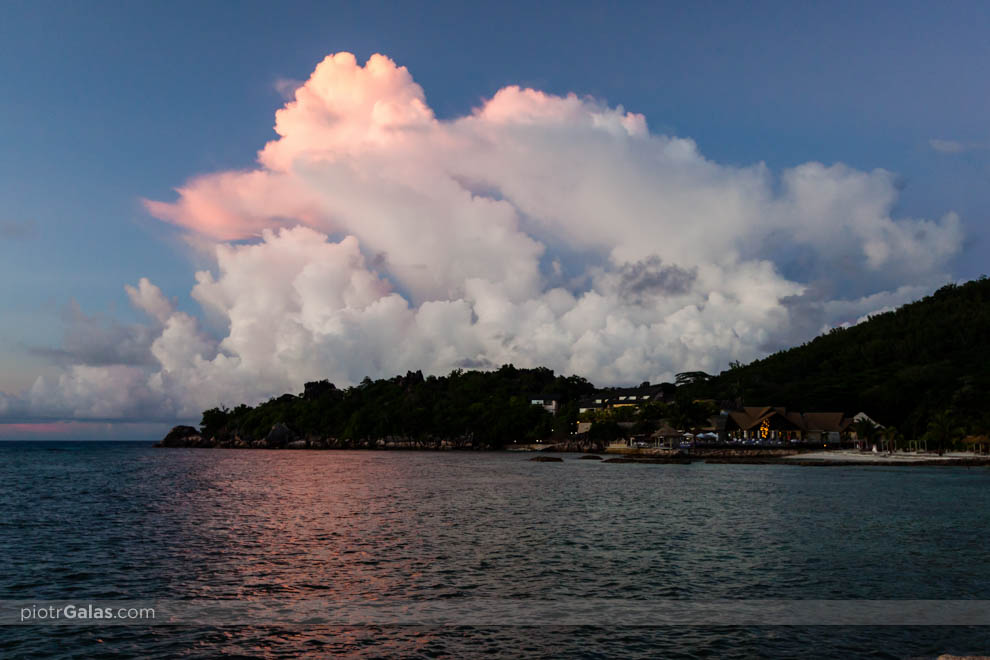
column 906, row 387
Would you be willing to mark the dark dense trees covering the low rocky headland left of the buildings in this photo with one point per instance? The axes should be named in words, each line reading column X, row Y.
column 465, row 408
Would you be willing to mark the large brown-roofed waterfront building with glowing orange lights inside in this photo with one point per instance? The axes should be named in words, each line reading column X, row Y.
column 777, row 424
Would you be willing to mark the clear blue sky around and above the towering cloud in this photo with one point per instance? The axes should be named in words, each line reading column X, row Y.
column 104, row 104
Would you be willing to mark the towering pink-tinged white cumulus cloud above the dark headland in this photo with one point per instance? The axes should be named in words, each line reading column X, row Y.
column 373, row 238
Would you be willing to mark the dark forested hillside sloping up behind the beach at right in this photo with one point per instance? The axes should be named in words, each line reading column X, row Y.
column 900, row 367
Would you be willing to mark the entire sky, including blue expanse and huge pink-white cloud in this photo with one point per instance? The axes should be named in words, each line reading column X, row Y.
column 622, row 192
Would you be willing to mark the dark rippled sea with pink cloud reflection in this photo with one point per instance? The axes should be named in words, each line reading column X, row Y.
column 464, row 554
